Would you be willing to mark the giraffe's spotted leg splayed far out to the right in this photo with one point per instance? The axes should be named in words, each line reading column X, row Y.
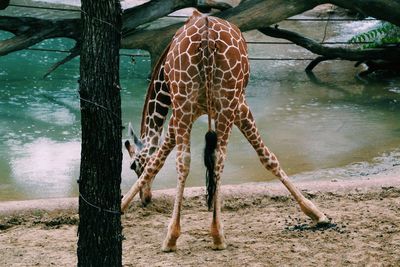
column 245, row 122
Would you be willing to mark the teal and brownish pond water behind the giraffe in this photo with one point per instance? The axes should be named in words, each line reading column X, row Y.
column 324, row 126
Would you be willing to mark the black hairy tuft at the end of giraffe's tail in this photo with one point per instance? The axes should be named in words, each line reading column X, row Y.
column 209, row 162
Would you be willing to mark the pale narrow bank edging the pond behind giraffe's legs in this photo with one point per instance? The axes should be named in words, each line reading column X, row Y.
column 390, row 178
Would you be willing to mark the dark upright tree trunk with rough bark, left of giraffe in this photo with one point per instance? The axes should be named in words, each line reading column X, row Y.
column 100, row 239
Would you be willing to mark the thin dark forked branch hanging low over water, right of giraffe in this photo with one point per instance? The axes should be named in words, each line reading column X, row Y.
column 388, row 54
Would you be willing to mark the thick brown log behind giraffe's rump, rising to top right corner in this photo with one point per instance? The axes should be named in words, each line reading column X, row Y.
column 255, row 14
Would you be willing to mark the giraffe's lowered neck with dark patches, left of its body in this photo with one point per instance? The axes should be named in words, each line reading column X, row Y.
column 155, row 108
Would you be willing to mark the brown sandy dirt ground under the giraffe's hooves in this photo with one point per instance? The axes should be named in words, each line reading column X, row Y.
column 263, row 227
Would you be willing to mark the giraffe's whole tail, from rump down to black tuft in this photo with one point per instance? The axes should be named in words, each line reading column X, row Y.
column 211, row 136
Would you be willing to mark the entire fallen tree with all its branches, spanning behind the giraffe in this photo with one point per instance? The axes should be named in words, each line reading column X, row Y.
column 248, row 15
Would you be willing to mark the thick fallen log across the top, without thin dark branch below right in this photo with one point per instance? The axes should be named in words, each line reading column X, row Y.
column 248, row 15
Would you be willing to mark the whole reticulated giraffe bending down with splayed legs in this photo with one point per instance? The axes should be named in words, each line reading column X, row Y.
column 204, row 70
